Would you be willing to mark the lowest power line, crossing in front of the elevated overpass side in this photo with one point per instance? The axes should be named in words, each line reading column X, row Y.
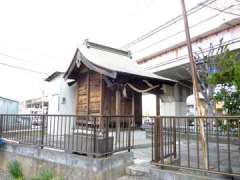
column 232, row 41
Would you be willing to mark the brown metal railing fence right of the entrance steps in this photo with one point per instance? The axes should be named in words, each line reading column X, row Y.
column 176, row 144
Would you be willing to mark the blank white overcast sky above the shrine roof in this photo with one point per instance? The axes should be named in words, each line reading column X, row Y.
column 42, row 35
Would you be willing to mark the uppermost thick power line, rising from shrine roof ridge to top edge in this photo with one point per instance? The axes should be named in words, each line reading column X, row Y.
column 169, row 23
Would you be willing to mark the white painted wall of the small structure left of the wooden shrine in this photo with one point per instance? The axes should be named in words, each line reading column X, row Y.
column 58, row 90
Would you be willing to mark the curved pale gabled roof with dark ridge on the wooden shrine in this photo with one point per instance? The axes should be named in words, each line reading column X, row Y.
column 108, row 61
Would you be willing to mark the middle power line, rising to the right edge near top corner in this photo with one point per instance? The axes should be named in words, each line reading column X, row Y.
column 179, row 32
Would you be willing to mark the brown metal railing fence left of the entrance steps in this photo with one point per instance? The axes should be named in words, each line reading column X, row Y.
column 89, row 135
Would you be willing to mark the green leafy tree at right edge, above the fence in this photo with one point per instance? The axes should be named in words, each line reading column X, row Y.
column 227, row 81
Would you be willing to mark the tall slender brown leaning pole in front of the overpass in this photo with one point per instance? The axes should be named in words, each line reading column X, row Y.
column 195, row 85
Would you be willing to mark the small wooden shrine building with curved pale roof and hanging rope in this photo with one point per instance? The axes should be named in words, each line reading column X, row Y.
column 109, row 82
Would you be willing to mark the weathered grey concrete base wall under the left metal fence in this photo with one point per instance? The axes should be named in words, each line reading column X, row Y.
column 69, row 166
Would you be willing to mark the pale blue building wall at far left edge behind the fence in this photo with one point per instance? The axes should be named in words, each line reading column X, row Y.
column 8, row 106
